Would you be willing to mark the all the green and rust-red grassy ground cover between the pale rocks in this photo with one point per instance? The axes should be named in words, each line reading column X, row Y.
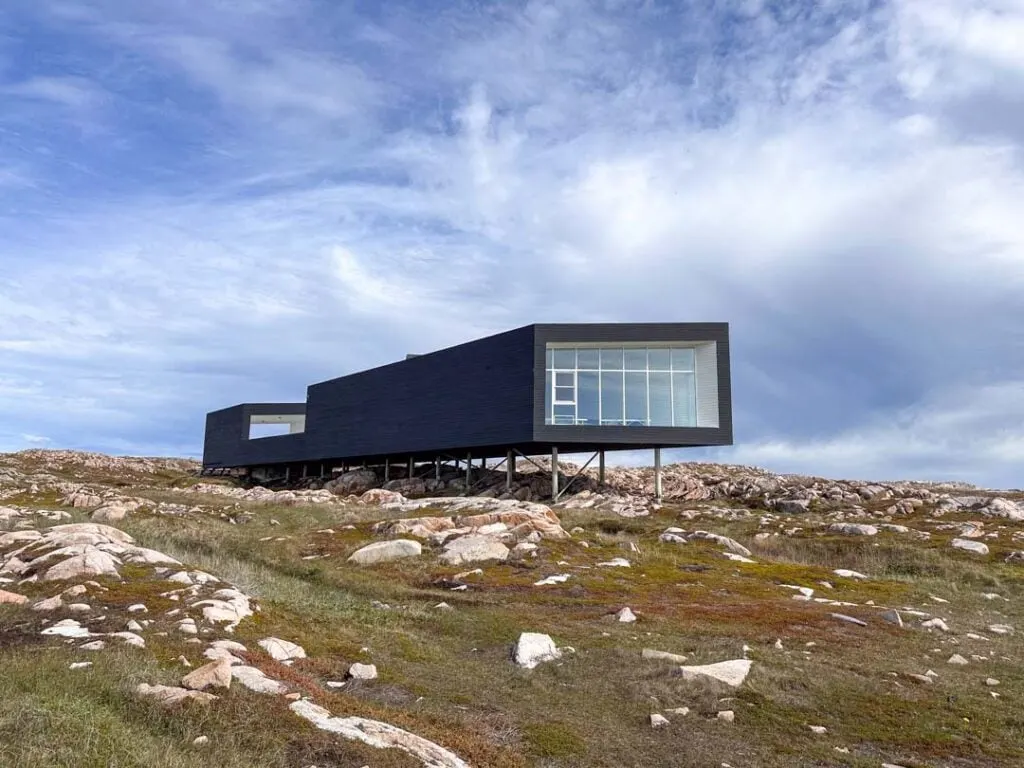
column 447, row 674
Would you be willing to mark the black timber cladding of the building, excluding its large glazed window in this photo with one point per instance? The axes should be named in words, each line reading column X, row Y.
column 482, row 399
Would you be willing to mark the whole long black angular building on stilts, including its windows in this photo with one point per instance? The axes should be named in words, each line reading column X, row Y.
column 537, row 390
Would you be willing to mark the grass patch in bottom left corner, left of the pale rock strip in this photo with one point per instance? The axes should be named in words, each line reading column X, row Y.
column 52, row 716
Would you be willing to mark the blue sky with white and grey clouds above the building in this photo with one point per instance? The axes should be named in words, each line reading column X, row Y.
column 203, row 204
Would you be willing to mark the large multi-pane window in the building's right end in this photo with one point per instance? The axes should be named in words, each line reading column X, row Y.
column 633, row 387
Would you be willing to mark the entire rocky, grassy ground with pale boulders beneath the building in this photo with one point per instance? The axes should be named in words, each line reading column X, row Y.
column 151, row 617
